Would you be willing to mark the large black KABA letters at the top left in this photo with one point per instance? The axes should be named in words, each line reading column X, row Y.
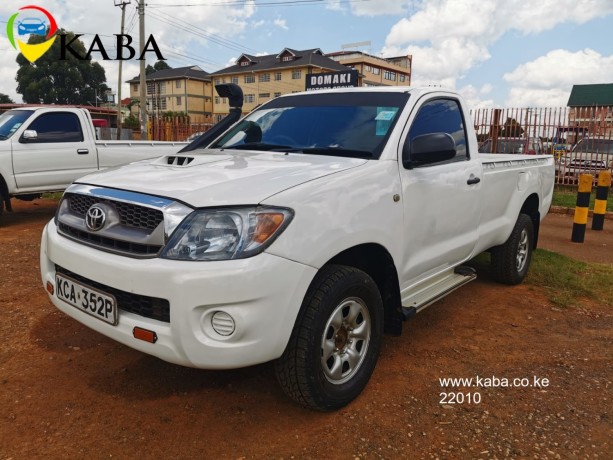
column 121, row 45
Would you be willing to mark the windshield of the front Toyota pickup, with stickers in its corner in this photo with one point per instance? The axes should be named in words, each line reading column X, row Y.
column 353, row 124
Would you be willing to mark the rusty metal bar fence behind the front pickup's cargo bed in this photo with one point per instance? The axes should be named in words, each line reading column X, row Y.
column 580, row 139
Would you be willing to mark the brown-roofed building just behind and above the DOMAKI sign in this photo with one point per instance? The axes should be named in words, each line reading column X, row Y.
column 376, row 71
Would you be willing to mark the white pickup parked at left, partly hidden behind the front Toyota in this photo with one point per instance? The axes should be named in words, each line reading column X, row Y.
column 44, row 149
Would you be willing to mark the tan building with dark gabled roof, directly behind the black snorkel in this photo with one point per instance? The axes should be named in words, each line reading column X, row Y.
column 265, row 77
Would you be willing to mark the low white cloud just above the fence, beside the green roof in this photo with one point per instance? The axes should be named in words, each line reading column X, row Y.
column 548, row 80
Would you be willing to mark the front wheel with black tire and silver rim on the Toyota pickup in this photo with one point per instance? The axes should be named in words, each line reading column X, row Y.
column 340, row 301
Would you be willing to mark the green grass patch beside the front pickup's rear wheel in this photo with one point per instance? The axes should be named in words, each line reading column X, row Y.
column 565, row 281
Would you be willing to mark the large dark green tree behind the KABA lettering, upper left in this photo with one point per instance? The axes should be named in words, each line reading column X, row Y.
column 51, row 80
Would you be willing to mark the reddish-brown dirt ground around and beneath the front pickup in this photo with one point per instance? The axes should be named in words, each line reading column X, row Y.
column 67, row 392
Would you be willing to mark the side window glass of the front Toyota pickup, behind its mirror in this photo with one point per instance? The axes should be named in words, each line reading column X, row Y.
column 441, row 116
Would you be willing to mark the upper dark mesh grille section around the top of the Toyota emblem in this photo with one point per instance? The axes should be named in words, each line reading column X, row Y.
column 131, row 215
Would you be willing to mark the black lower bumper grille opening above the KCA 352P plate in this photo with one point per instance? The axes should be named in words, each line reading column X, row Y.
column 149, row 307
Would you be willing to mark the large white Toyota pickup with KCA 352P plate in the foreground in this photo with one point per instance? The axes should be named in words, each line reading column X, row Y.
column 300, row 235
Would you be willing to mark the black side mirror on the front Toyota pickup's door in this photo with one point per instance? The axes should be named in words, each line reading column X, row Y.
column 428, row 149
